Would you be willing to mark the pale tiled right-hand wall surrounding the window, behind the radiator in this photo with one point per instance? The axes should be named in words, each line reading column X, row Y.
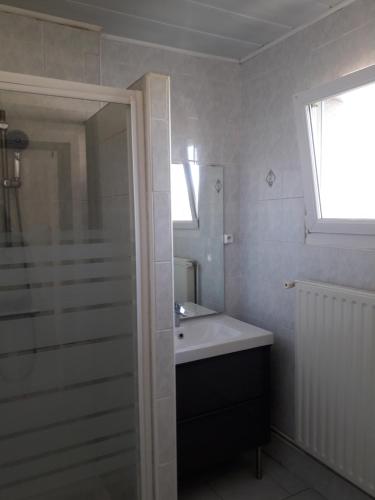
column 272, row 219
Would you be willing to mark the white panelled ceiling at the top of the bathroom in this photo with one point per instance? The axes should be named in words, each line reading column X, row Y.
column 232, row 29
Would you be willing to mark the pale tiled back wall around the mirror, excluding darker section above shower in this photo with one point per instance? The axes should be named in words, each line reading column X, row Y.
column 205, row 113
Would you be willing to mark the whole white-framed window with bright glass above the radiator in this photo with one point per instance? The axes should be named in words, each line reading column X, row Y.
column 337, row 142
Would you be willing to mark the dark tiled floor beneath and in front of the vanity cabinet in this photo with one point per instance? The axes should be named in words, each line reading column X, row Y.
column 237, row 482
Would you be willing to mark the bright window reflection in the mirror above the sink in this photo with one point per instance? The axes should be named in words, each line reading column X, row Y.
column 184, row 193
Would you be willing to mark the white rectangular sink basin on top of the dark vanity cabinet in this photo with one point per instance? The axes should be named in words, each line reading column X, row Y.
column 216, row 335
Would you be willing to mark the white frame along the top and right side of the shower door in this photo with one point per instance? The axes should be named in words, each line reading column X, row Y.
column 134, row 98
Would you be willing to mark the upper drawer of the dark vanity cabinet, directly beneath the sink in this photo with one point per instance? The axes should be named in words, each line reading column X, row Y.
column 209, row 384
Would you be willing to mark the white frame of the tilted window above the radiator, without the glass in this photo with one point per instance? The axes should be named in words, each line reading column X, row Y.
column 318, row 229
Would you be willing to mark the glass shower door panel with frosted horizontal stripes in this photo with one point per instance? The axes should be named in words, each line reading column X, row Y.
column 68, row 391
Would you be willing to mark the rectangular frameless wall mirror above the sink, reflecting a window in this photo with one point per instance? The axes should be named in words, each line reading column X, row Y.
column 197, row 213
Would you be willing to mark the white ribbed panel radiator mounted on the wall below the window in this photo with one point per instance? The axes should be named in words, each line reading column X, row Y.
column 335, row 379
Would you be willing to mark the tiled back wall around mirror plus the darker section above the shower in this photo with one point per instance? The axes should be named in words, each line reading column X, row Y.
column 205, row 96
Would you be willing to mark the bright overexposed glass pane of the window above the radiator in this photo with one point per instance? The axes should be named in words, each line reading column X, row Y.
column 344, row 154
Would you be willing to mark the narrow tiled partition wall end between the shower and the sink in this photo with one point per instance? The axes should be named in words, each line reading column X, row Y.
column 156, row 91
